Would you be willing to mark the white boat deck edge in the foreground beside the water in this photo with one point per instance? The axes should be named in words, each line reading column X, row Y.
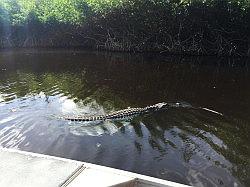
column 19, row 168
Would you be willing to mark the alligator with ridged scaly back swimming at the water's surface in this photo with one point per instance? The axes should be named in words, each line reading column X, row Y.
column 121, row 114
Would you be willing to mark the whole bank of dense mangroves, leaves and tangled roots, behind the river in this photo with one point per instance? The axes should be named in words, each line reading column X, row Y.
column 176, row 26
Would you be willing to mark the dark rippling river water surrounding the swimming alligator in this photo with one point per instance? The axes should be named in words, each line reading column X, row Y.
column 207, row 144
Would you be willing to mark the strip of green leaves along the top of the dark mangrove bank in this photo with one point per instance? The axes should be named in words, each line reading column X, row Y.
column 17, row 12
